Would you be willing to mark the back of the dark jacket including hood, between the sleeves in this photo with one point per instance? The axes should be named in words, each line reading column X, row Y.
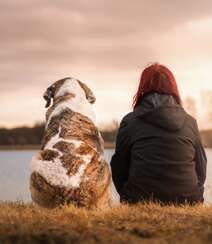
column 163, row 141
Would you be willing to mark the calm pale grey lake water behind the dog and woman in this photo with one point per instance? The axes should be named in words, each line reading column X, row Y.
column 14, row 175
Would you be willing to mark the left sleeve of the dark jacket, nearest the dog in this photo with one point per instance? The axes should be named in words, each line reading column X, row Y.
column 121, row 158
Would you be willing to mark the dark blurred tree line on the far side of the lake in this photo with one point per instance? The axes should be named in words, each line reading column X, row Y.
column 33, row 135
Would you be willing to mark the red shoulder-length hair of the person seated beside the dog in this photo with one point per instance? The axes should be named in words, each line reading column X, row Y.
column 156, row 78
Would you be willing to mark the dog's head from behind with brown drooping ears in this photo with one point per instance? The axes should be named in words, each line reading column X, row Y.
column 68, row 86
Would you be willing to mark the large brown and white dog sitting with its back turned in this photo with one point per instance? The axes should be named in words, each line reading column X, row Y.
column 70, row 168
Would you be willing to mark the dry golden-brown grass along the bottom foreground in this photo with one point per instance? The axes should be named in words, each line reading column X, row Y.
column 146, row 223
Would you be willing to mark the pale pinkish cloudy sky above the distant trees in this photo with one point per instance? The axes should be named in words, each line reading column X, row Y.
column 105, row 44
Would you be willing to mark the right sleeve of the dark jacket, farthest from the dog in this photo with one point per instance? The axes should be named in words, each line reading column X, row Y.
column 200, row 159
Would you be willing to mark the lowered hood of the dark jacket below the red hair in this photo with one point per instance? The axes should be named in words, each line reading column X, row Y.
column 162, row 111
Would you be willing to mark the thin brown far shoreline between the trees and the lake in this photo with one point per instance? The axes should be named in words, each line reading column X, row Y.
column 107, row 145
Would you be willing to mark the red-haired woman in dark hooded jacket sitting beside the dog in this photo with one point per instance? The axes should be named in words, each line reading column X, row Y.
column 159, row 155
